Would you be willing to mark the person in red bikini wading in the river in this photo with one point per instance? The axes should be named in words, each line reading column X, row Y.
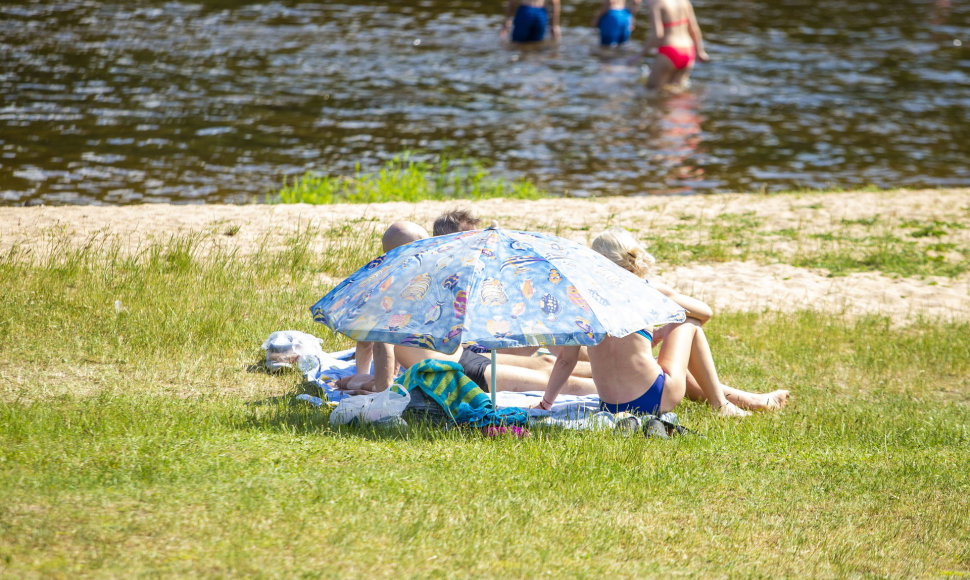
column 675, row 35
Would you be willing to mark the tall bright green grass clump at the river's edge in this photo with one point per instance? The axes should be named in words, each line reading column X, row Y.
column 405, row 178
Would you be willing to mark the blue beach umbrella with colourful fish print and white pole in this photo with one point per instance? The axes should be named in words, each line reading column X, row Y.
column 497, row 288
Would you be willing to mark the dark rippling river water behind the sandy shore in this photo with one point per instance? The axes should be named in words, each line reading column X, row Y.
column 112, row 102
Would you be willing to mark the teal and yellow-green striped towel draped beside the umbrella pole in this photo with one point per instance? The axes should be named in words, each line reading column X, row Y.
column 444, row 382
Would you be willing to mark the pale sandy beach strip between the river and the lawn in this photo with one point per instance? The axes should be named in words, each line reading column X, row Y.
column 731, row 285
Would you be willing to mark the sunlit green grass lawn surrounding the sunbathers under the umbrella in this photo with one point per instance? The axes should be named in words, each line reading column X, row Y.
column 139, row 437
